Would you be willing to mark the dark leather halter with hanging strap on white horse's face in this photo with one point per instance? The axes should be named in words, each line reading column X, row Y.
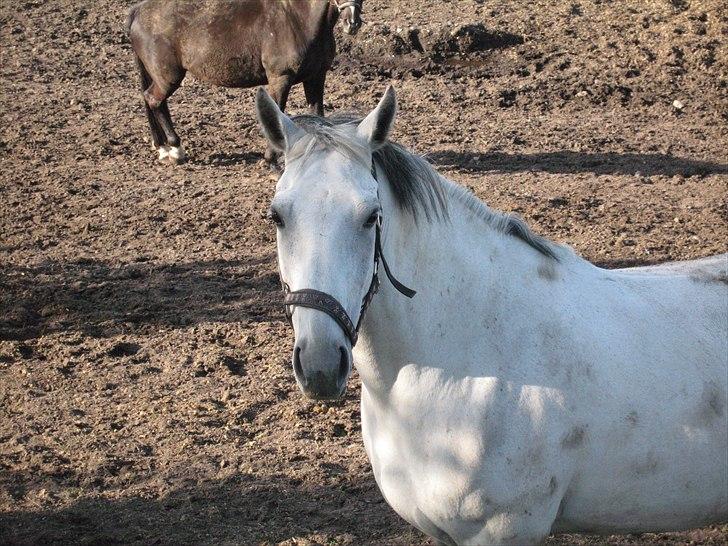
column 315, row 299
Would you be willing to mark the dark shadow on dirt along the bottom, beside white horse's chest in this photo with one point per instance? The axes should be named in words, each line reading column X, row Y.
column 241, row 509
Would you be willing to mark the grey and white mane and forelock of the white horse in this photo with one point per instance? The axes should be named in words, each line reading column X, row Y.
column 416, row 186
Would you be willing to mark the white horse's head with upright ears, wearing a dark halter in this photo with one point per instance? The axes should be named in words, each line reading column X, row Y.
column 327, row 212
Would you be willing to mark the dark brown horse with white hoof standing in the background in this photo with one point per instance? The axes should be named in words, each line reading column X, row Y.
column 234, row 43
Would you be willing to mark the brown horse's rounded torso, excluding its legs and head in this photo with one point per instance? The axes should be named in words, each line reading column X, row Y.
column 230, row 44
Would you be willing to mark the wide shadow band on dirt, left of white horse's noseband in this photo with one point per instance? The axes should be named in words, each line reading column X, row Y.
column 103, row 299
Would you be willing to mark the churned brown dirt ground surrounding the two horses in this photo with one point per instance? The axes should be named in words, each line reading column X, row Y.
column 146, row 395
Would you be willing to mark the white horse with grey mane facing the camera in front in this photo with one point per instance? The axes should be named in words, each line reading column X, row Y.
column 522, row 390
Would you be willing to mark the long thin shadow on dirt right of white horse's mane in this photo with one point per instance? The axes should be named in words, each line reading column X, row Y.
column 565, row 162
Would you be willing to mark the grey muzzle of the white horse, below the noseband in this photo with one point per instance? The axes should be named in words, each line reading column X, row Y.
column 321, row 372
